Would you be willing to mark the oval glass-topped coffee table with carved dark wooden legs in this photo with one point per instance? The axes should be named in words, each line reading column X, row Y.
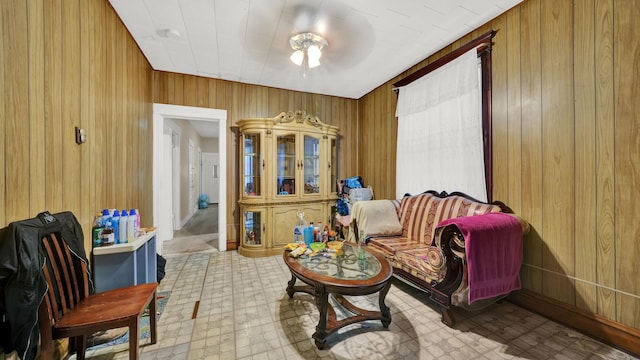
column 344, row 275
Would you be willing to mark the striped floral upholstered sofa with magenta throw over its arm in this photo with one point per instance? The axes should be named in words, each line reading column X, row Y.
column 443, row 243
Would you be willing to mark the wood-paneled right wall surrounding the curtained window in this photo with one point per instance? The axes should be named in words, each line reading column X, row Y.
column 566, row 153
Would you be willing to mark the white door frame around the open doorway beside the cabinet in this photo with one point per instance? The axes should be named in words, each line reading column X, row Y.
column 162, row 112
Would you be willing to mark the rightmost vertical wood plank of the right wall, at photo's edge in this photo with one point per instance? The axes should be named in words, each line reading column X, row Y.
column 627, row 158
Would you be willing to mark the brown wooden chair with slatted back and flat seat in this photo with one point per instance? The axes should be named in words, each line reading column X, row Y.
column 68, row 310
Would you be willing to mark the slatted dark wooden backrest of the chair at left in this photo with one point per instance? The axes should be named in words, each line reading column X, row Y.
column 66, row 277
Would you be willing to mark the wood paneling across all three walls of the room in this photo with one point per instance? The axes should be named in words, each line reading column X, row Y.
column 565, row 130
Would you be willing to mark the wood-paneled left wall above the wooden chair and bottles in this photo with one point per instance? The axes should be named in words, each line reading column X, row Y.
column 68, row 63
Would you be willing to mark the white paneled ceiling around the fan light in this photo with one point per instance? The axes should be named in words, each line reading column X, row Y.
column 370, row 41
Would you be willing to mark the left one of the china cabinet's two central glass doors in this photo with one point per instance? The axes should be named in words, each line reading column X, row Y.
column 285, row 164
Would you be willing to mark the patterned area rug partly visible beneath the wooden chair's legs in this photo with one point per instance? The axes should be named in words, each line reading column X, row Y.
column 121, row 335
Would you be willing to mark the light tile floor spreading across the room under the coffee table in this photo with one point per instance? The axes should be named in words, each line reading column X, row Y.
column 244, row 313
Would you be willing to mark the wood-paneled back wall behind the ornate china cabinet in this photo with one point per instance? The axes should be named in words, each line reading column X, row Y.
column 245, row 100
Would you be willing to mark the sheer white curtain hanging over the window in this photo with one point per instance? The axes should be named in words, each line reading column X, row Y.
column 440, row 131
